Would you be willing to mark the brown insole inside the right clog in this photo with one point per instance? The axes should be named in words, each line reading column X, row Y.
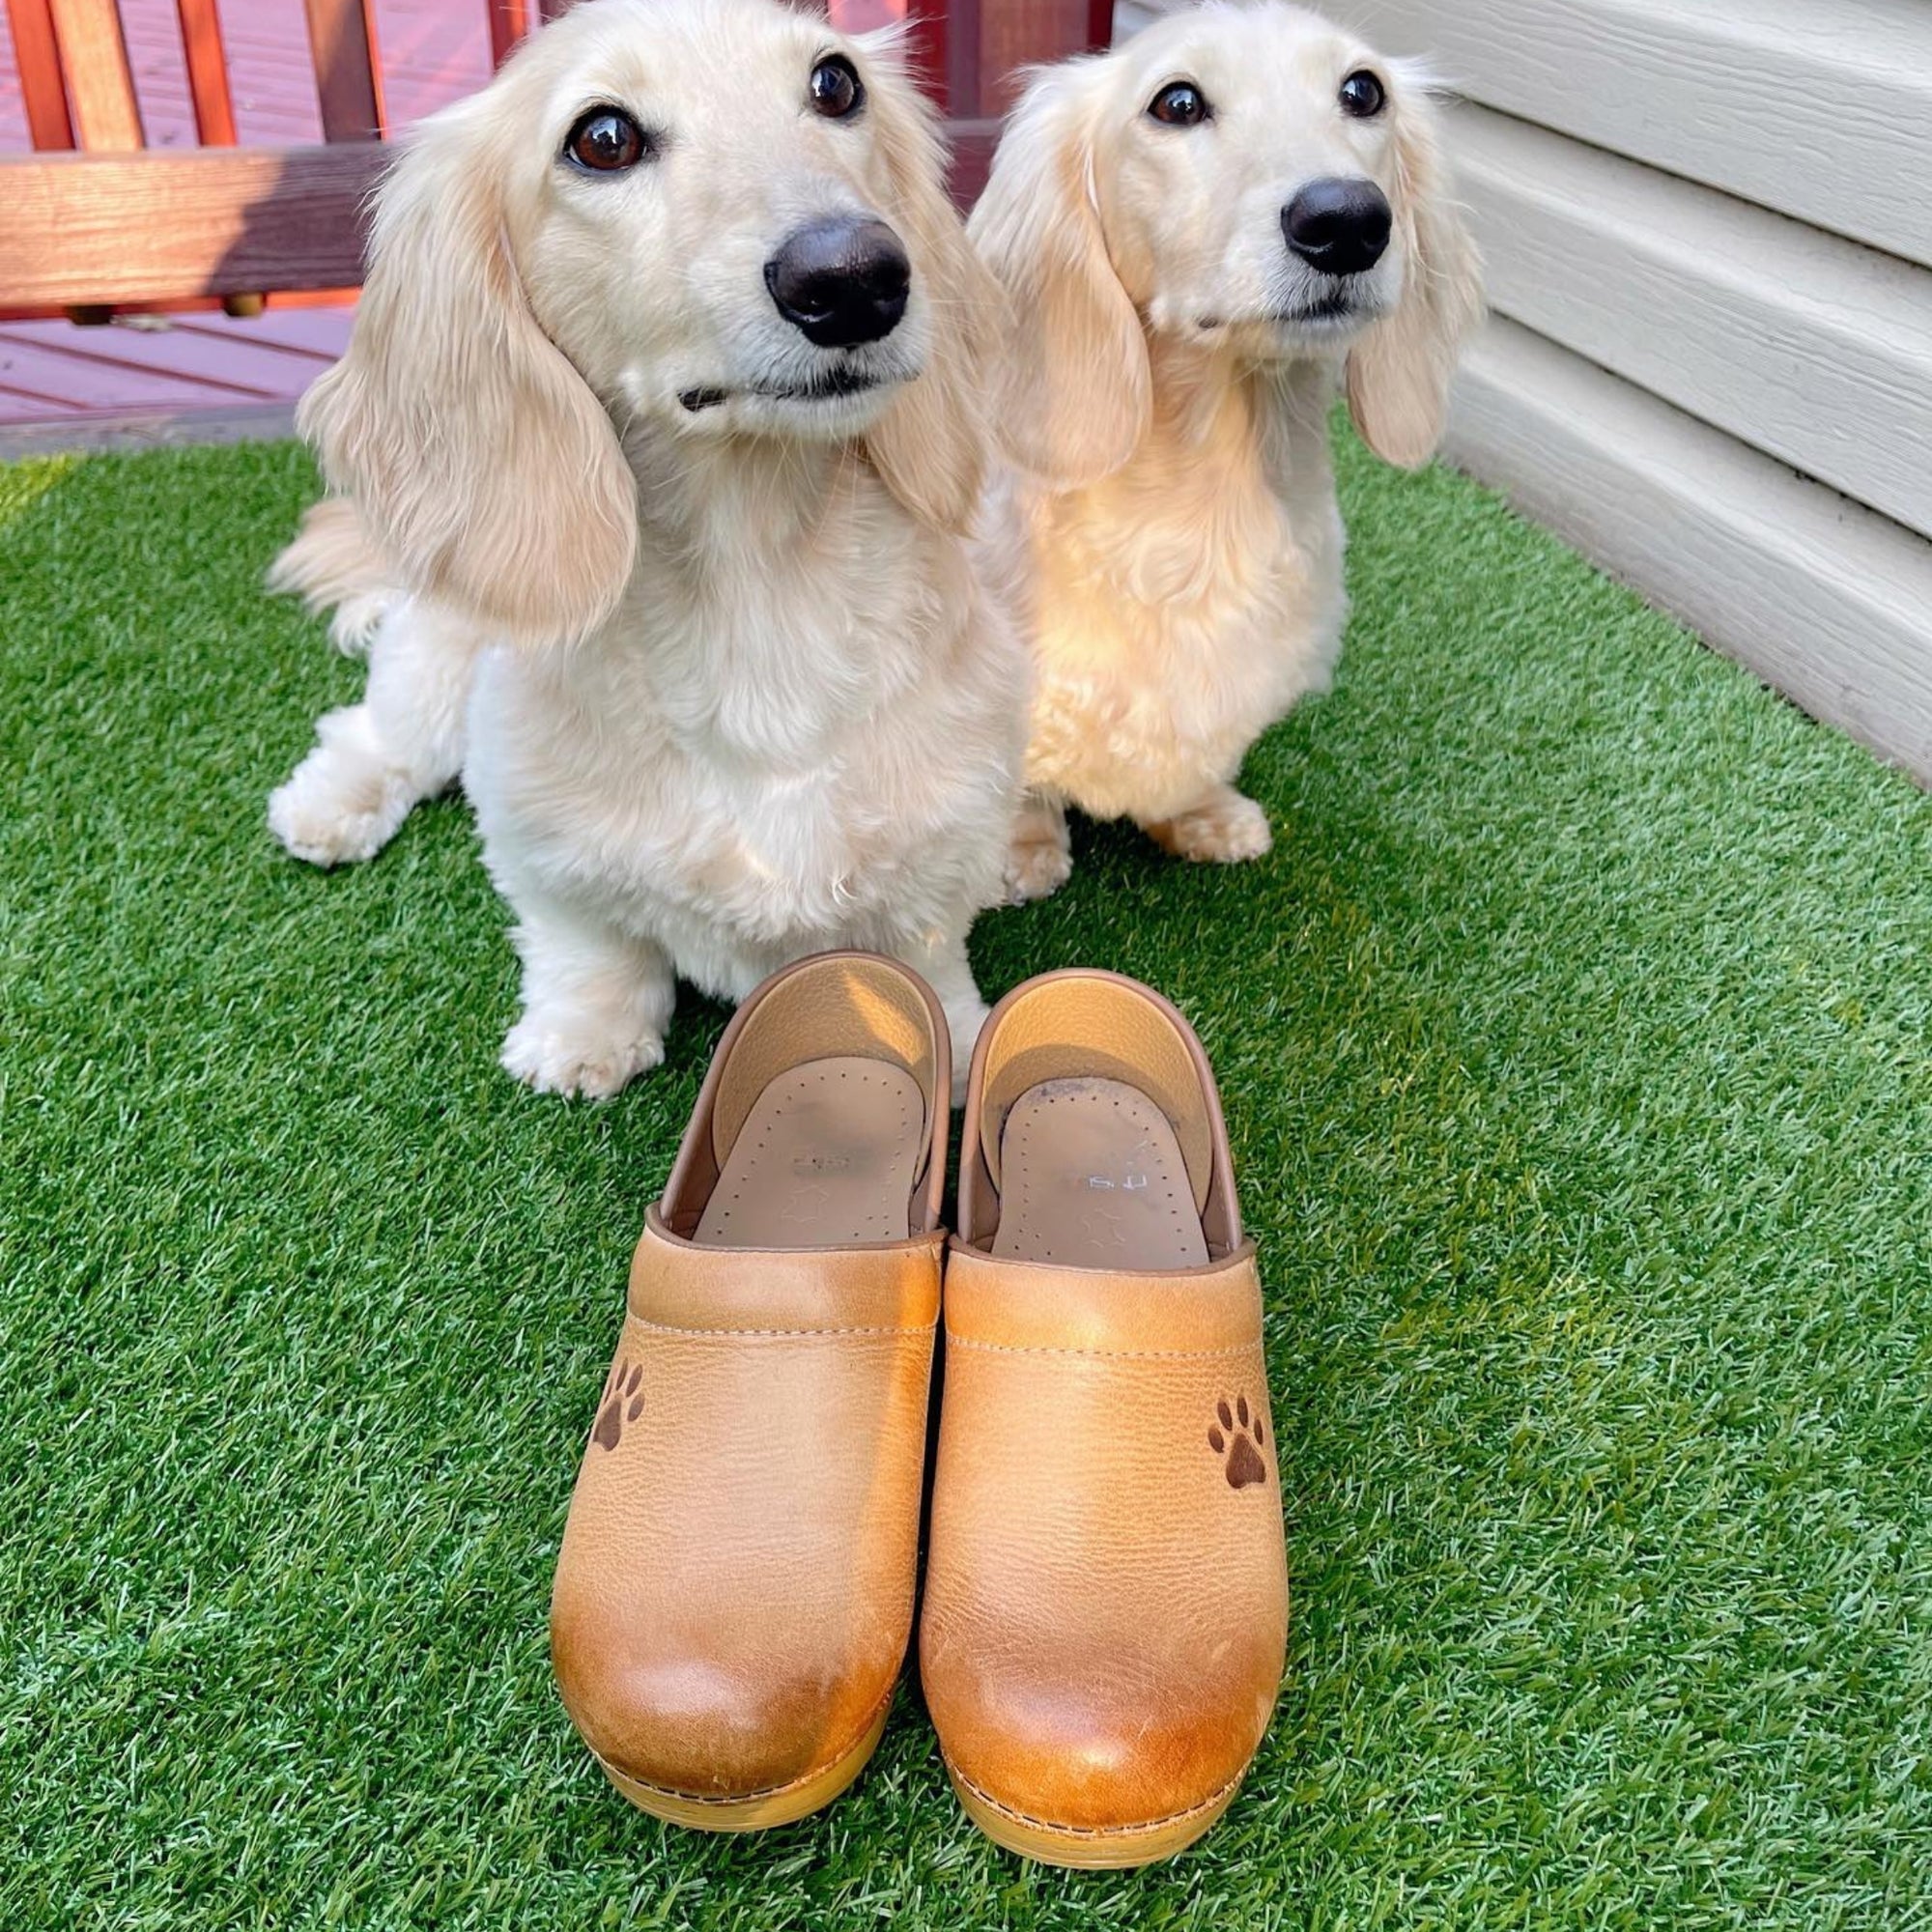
column 1091, row 1176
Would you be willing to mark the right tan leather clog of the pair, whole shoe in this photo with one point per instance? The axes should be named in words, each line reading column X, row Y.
column 1106, row 1595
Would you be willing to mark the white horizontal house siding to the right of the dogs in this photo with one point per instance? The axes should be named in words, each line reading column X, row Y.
column 1709, row 235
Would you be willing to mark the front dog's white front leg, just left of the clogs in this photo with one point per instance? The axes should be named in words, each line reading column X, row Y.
column 596, row 1002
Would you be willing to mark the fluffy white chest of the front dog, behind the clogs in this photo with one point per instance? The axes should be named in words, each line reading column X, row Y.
column 739, row 778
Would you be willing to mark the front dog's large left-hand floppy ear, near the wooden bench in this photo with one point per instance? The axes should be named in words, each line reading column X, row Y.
column 484, row 465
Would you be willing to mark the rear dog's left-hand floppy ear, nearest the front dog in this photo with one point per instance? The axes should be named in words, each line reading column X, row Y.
column 1077, row 384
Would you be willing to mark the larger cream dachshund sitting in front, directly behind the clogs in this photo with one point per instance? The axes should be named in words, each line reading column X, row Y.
column 654, row 455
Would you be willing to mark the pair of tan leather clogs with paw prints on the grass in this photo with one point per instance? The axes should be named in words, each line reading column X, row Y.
column 1106, row 1589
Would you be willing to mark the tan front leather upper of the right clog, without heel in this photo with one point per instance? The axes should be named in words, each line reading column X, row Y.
column 1106, row 1603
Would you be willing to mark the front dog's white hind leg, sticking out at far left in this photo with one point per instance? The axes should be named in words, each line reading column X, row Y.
column 405, row 743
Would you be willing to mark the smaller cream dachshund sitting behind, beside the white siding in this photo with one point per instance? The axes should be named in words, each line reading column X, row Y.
column 1207, row 237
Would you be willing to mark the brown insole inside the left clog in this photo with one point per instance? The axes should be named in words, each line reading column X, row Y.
column 826, row 1158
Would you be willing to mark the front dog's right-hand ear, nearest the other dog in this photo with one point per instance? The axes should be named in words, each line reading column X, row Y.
column 932, row 443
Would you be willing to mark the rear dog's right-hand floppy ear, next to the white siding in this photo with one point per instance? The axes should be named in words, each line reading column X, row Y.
column 1400, row 372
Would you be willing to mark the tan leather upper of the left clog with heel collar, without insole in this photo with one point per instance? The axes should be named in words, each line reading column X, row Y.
column 735, row 1589
